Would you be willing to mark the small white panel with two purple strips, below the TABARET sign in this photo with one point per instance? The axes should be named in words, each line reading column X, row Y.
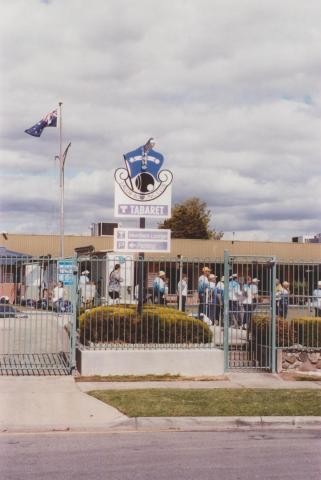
column 148, row 240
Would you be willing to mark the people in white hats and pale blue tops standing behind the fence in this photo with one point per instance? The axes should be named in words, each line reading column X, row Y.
column 243, row 296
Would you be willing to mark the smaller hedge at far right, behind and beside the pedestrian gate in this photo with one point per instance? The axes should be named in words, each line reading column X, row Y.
column 304, row 331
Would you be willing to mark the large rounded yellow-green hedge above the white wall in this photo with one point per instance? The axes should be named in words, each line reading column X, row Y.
column 156, row 324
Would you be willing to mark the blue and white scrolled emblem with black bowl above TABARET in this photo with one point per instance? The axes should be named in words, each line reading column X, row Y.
column 143, row 179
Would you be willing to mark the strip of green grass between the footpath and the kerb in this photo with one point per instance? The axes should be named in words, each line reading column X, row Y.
column 218, row 402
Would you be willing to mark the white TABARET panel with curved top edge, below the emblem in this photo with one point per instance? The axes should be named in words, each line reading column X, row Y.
column 157, row 208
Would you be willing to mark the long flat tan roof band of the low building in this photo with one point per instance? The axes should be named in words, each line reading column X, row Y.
column 38, row 245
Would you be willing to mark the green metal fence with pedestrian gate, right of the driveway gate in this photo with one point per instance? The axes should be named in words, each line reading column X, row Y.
column 187, row 318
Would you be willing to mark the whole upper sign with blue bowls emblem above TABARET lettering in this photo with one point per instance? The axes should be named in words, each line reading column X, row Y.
column 143, row 189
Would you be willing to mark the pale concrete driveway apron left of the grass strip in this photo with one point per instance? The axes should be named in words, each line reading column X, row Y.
column 50, row 404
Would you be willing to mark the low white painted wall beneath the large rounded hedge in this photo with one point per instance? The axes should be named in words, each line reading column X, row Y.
column 207, row 362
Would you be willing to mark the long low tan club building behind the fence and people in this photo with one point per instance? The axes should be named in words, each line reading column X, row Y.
column 297, row 261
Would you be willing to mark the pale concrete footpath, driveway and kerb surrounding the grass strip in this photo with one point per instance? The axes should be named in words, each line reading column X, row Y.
column 47, row 404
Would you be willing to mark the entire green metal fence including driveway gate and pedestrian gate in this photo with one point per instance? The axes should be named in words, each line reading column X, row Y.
column 113, row 301
